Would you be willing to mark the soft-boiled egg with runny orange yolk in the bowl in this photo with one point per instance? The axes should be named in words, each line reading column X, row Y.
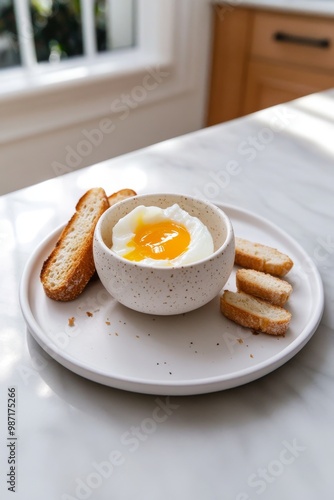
column 161, row 237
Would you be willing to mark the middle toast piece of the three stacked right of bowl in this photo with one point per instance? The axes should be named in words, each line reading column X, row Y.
column 263, row 285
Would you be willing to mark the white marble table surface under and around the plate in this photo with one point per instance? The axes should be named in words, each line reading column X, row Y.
column 272, row 438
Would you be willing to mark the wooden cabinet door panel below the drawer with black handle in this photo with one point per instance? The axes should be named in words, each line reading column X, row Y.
column 270, row 84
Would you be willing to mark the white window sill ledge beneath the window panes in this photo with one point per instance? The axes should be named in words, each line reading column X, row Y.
column 51, row 102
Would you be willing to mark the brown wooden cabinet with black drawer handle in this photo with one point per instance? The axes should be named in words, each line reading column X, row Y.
column 262, row 58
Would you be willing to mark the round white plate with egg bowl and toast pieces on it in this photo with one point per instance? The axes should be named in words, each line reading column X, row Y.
column 162, row 259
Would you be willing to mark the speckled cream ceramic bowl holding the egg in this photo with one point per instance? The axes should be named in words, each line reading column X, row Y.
column 172, row 290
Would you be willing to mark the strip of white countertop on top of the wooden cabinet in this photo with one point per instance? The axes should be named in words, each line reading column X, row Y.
column 322, row 7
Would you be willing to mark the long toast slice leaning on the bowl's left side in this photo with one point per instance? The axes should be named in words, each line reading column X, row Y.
column 69, row 267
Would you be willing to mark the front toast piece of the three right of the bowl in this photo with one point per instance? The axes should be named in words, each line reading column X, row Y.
column 254, row 313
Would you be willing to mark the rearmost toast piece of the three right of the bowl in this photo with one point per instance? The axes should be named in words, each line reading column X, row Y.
column 261, row 257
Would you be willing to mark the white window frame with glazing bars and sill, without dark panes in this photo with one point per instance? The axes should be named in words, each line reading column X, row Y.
column 45, row 96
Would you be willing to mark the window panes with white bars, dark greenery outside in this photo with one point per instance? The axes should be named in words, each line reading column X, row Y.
column 35, row 32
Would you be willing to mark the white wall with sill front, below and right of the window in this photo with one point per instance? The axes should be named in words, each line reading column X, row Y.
column 53, row 132
